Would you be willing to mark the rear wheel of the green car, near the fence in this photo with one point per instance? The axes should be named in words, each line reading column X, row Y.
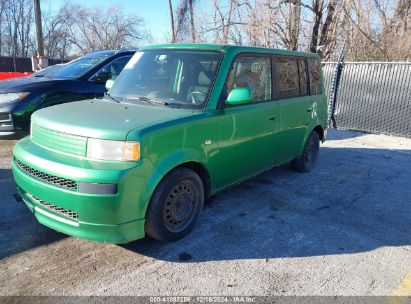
column 307, row 160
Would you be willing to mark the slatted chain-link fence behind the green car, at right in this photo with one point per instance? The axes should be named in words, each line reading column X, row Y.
column 372, row 97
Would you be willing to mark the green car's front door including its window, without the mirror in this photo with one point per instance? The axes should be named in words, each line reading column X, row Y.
column 248, row 133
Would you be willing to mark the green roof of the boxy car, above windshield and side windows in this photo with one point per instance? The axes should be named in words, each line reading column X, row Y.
column 228, row 48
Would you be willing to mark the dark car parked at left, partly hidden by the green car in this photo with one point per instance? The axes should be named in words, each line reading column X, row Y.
column 83, row 78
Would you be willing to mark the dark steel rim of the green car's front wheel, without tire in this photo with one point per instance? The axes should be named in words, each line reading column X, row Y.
column 180, row 206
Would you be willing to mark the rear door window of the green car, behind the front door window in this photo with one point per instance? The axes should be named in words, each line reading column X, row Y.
column 288, row 79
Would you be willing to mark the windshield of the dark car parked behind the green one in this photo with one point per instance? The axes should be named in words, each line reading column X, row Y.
column 78, row 67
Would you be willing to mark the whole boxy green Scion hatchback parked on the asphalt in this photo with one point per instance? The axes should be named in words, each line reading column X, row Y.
column 180, row 123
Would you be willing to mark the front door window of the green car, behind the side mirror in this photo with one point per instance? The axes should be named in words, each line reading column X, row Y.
column 253, row 72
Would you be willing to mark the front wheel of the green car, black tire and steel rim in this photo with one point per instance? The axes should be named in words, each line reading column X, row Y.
column 175, row 206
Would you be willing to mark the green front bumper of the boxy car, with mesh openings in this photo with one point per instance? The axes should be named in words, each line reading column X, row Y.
column 113, row 218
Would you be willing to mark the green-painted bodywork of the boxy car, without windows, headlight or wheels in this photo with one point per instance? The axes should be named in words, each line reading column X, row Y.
column 231, row 143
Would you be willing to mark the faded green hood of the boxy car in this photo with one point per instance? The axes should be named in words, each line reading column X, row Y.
column 98, row 118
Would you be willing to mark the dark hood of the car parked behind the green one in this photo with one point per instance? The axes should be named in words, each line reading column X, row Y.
column 26, row 84
